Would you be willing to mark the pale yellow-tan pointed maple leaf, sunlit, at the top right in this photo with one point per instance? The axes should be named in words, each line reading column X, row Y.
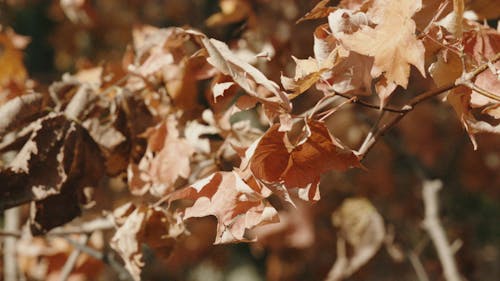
column 392, row 43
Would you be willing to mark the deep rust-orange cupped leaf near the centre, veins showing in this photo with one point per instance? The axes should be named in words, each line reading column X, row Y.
column 274, row 159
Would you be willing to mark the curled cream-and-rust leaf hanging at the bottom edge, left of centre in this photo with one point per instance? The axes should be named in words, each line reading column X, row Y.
column 144, row 225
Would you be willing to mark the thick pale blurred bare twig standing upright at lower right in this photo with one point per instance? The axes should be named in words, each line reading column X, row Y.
column 436, row 231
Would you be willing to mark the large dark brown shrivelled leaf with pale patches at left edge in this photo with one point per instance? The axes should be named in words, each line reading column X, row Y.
column 60, row 160
